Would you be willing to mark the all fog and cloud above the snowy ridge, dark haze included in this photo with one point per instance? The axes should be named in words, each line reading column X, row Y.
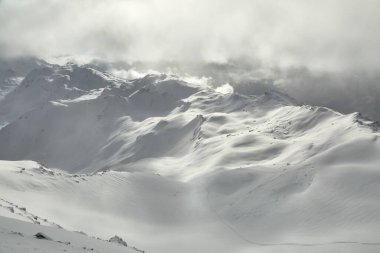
column 324, row 52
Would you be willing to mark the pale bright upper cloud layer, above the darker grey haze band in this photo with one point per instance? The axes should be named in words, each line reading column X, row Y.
column 325, row 34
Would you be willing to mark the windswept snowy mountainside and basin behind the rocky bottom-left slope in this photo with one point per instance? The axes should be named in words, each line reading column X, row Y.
column 171, row 166
